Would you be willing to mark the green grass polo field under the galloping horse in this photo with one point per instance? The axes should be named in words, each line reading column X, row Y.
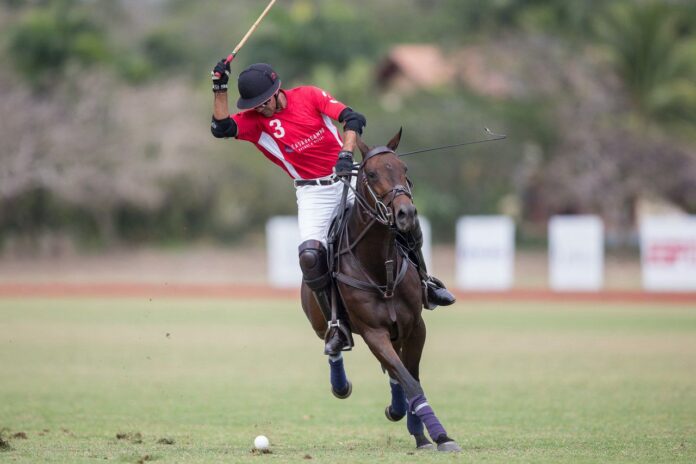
column 511, row 382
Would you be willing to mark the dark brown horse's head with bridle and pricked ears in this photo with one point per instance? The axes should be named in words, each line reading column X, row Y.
column 383, row 183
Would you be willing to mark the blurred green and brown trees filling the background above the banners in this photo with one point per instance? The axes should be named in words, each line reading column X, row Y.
column 106, row 104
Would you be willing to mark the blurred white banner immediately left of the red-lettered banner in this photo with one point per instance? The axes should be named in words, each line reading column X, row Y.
column 576, row 253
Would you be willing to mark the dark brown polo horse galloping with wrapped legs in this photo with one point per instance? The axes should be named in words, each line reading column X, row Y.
column 381, row 290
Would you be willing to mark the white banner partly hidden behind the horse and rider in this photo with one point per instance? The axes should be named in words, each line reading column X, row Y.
column 282, row 240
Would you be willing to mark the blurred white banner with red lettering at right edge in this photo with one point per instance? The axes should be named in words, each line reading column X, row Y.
column 668, row 253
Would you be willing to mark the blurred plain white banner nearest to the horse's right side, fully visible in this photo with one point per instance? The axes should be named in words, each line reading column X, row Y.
column 485, row 252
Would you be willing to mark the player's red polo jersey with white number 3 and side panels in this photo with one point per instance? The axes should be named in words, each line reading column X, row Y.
column 301, row 138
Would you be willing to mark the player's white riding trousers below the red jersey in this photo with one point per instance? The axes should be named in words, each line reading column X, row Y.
column 316, row 205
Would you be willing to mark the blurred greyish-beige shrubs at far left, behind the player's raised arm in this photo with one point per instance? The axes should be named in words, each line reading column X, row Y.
column 96, row 149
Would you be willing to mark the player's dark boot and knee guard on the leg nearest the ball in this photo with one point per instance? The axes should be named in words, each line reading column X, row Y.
column 315, row 273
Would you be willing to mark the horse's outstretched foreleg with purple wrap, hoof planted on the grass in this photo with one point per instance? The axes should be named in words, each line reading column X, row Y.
column 381, row 347
